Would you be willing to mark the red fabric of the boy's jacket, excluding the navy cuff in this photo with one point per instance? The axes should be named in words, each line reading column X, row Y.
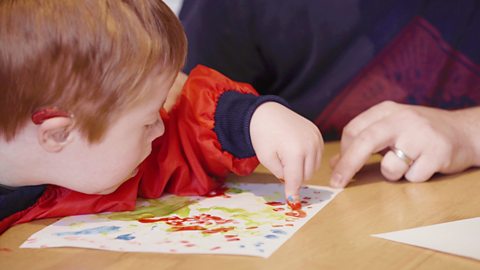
column 180, row 162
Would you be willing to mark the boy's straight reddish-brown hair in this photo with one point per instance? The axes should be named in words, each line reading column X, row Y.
column 88, row 57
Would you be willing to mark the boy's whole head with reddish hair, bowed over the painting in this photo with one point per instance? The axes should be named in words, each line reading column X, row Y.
column 92, row 76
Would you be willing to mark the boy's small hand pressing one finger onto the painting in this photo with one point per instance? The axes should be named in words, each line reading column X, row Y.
column 287, row 144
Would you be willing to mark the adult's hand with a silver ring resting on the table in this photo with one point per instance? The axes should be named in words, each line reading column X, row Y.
column 433, row 140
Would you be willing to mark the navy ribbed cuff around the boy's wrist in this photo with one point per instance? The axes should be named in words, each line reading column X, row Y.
column 232, row 121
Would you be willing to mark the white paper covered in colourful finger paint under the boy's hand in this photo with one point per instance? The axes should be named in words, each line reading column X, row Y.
column 247, row 219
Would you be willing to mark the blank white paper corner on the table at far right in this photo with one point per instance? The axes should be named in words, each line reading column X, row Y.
column 460, row 237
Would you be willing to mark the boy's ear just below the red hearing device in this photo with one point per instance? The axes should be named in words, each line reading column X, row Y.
column 54, row 133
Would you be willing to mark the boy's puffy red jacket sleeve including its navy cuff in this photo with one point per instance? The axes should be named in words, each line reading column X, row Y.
column 206, row 137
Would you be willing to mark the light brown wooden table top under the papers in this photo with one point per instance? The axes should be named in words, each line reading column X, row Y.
column 338, row 237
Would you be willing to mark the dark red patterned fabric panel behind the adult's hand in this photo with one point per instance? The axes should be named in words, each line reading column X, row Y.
column 418, row 67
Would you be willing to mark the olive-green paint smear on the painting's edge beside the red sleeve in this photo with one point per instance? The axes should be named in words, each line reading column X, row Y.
column 156, row 208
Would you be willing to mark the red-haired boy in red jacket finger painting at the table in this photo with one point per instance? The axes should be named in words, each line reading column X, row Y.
column 81, row 124
